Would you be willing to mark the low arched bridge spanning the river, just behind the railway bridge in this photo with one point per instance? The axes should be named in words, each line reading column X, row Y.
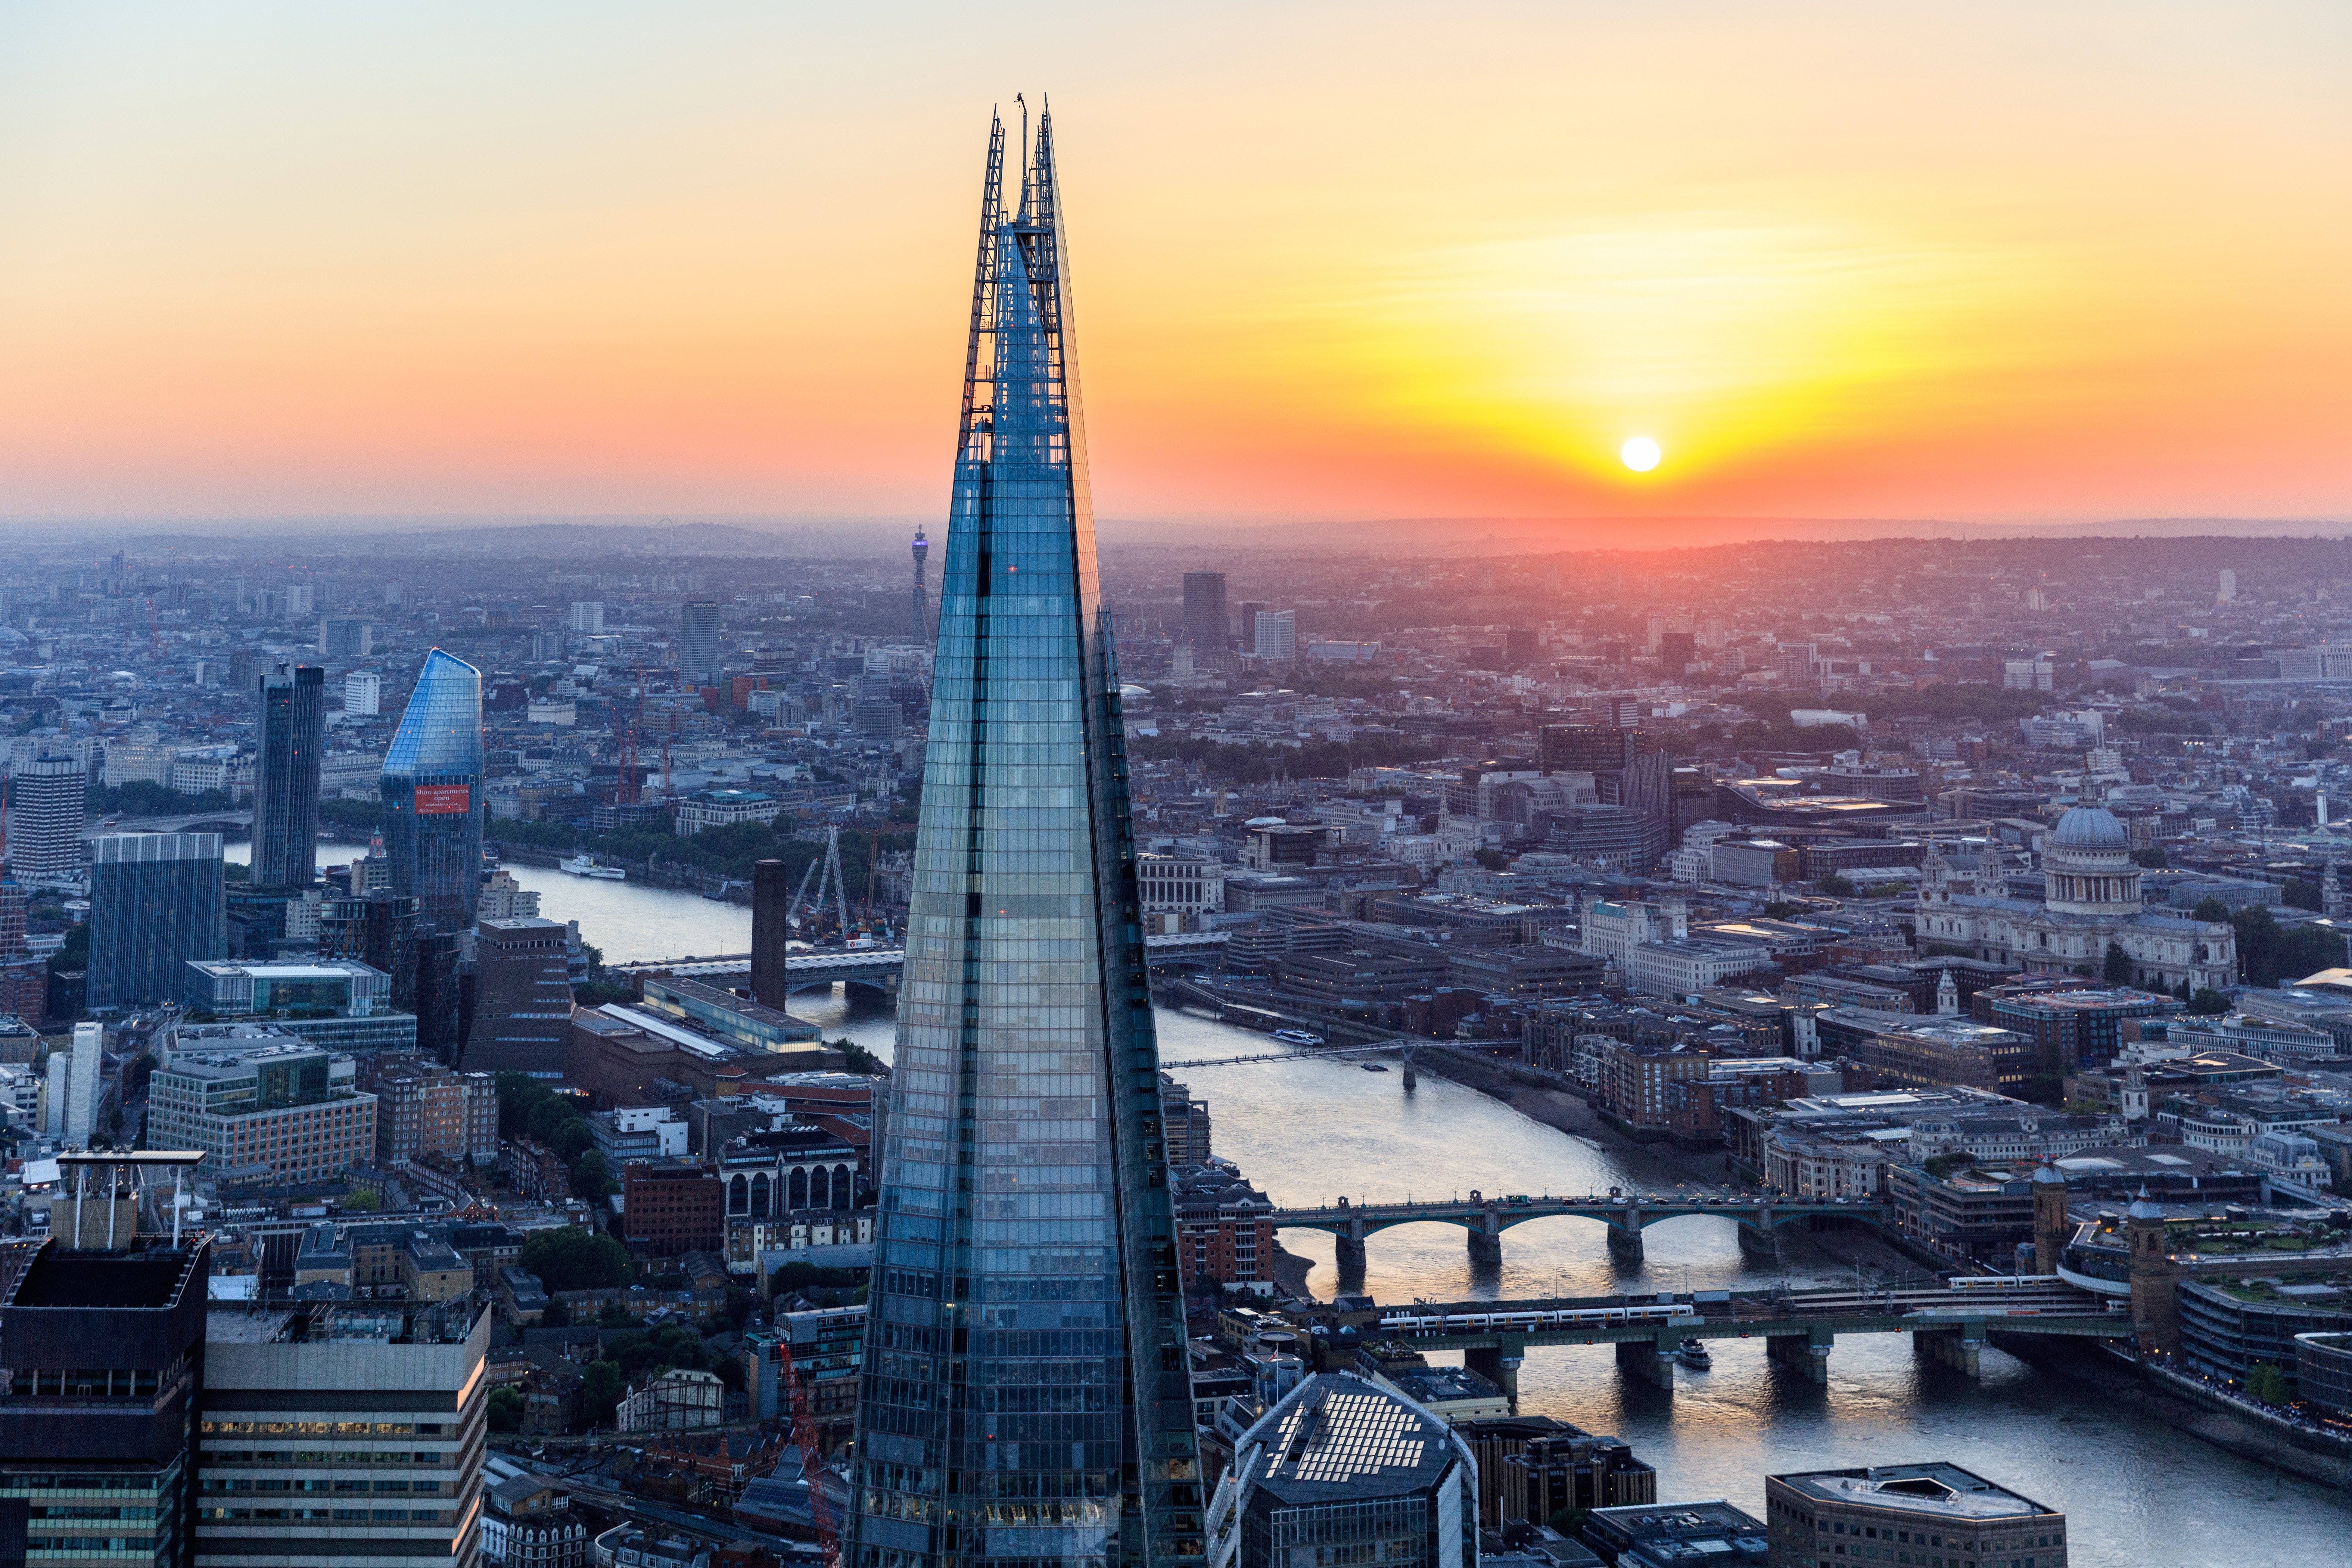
column 1626, row 1214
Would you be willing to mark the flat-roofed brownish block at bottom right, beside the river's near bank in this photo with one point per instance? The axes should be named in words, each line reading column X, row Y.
column 1909, row 1510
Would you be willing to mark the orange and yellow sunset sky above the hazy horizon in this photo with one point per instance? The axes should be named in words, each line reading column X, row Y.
column 1986, row 262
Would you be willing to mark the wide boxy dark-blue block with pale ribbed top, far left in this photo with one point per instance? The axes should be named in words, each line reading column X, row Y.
column 156, row 902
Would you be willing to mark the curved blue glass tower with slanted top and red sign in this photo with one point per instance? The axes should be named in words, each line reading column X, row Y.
column 434, row 796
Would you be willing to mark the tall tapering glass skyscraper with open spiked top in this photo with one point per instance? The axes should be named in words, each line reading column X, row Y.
column 1027, row 1395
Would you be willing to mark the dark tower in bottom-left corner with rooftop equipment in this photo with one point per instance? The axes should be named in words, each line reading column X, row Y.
column 102, row 1456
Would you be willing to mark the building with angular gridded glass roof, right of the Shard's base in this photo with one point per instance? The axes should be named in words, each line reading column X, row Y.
column 1347, row 1473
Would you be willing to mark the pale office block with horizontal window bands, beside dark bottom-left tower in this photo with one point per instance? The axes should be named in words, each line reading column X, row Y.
column 342, row 1435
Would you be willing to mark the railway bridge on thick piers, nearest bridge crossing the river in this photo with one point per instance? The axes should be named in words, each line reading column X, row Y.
column 1949, row 1325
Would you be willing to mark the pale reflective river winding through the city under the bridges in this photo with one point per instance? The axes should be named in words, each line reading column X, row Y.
column 2134, row 1489
